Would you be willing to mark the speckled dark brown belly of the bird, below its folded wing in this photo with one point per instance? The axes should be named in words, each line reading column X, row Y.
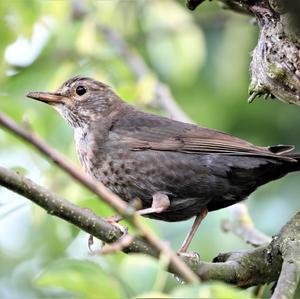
column 190, row 185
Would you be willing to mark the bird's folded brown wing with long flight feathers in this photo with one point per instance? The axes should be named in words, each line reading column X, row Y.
column 149, row 132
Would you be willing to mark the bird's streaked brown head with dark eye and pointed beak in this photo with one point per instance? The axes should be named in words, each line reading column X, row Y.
column 80, row 100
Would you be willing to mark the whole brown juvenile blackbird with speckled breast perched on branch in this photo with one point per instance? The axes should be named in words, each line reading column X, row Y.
column 177, row 170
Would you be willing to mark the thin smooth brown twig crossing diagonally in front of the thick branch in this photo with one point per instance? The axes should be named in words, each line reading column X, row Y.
column 105, row 194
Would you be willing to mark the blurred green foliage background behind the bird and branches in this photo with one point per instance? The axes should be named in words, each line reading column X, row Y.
column 203, row 56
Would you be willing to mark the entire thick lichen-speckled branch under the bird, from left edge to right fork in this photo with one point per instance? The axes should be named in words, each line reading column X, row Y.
column 258, row 266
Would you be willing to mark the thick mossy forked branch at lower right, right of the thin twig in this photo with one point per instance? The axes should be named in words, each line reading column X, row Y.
column 263, row 264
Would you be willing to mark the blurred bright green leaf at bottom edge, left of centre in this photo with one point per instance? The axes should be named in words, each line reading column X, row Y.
column 79, row 277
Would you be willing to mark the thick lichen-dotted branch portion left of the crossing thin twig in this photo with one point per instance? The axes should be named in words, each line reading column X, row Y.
column 85, row 219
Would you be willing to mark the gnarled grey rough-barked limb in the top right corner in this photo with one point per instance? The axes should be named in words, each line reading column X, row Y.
column 275, row 66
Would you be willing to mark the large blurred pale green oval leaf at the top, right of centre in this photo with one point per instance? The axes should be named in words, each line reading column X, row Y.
column 174, row 37
